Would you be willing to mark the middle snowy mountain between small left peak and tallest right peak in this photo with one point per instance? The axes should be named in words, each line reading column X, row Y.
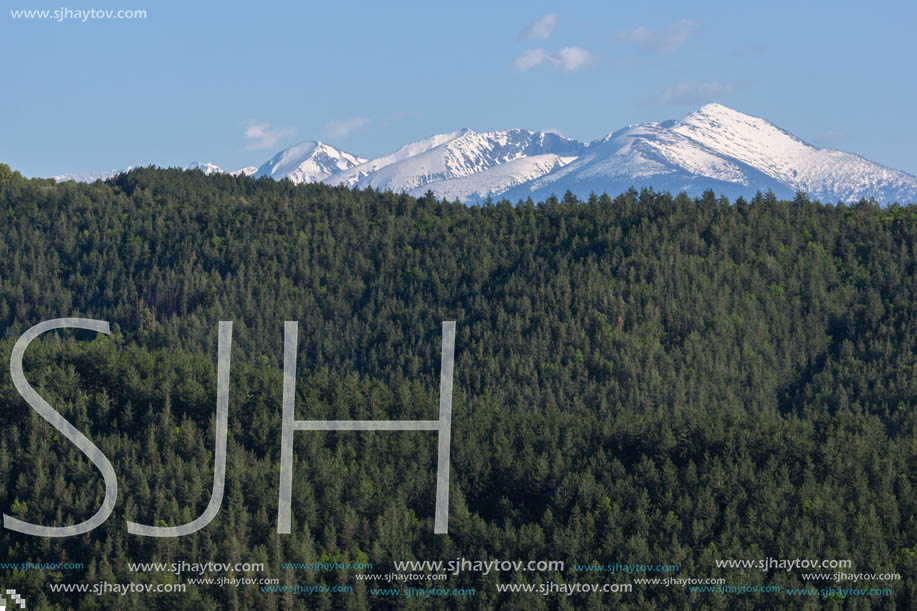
column 461, row 163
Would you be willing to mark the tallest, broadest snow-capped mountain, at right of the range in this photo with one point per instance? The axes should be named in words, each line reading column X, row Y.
column 730, row 152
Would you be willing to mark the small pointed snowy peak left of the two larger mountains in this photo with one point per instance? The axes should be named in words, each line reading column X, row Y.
column 309, row 161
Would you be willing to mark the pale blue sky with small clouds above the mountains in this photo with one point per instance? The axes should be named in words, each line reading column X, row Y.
column 233, row 83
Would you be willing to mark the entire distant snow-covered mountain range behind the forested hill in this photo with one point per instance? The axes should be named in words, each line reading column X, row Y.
column 714, row 147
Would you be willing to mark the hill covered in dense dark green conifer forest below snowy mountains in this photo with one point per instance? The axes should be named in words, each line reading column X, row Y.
column 639, row 379
